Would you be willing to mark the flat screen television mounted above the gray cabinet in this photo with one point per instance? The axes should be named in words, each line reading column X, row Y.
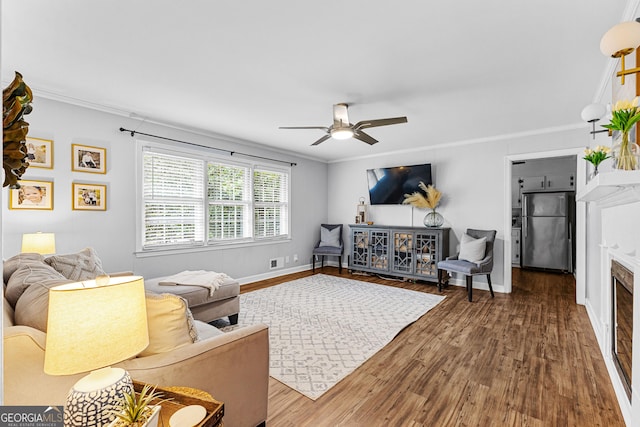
column 387, row 186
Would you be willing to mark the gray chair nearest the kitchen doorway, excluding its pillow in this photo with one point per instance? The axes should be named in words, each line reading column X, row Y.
column 470, row 269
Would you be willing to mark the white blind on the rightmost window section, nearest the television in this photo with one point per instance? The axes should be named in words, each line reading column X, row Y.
column 271, row 199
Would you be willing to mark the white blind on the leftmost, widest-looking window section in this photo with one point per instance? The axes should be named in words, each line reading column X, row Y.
column 173, row 201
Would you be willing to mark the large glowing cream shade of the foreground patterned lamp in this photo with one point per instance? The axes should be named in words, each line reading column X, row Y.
column 92, row 326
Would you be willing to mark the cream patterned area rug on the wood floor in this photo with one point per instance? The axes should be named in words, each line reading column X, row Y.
column 321, row 328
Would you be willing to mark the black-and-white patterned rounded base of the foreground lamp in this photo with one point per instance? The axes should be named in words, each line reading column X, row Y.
column 92, row 398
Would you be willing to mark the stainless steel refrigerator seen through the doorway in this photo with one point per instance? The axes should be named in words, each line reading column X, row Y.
column 548, row 228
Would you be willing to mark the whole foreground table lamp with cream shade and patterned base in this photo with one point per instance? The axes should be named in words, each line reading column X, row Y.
column 91, row 325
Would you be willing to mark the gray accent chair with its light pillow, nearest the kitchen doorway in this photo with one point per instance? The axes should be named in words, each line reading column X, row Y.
column 475, row 258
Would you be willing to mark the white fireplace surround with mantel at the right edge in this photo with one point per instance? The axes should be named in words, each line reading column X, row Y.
column 618, row 242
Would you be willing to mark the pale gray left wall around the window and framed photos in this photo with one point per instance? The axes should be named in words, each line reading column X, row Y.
column 112, row 233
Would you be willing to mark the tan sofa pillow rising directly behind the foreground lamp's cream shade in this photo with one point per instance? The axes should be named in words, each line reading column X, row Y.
column 32, row 309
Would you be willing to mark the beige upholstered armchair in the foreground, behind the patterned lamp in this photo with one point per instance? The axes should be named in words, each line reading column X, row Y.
column 232, row 367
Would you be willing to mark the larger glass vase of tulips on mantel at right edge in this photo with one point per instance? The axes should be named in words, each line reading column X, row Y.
column 624, row 115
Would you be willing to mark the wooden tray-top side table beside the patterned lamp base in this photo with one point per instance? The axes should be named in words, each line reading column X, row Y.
column 185, row 396
